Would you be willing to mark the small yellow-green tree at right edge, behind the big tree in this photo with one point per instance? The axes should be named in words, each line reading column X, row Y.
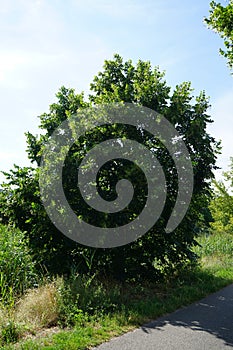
column 222, row 204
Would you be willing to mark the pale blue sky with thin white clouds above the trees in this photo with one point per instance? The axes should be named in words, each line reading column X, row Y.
column 46, row 44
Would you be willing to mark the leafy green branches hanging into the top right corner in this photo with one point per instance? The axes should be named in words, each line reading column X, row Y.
column 221, row 21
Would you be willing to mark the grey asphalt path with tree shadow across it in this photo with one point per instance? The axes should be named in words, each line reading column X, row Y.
column 205, row 325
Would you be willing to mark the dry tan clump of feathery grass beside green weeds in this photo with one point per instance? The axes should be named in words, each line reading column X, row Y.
column 38, row 308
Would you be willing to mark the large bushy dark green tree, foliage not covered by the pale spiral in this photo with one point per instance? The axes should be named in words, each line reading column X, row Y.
column 118, row 82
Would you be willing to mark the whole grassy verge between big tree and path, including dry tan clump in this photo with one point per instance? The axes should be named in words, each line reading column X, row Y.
column 120, row 307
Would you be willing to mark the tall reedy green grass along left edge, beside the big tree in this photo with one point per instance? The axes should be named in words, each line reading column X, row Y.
column 17, row 274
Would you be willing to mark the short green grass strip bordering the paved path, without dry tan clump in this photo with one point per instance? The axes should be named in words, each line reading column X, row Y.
column 141, row 303
